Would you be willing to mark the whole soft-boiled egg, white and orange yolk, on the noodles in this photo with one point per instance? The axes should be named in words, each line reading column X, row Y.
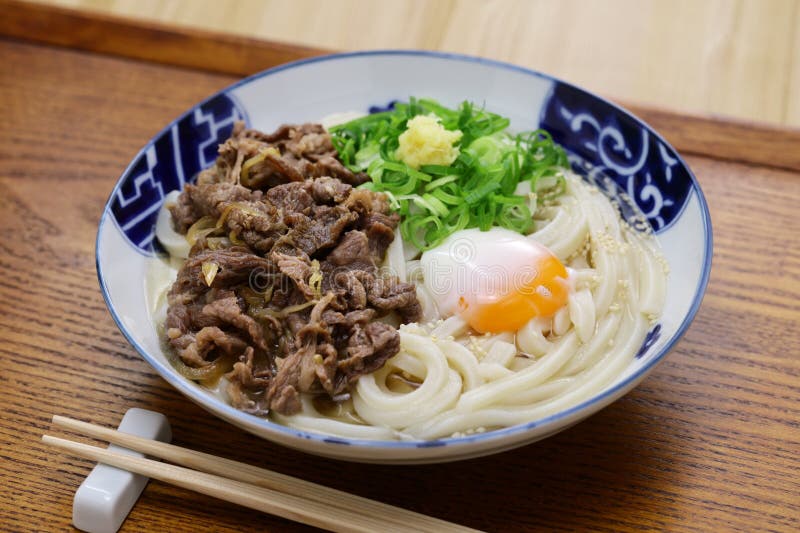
column 497, row 280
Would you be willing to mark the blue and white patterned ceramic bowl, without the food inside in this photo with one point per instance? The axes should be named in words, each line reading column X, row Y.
column 599, row 135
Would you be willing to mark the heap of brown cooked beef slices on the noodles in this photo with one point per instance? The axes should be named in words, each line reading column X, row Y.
column 286, row 278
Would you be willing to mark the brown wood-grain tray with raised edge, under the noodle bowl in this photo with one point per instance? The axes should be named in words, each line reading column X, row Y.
column 709, row 441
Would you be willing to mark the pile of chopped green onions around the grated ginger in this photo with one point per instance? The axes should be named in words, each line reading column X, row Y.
column 478, row 190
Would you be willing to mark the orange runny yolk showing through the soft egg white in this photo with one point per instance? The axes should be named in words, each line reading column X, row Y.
column 544, row 293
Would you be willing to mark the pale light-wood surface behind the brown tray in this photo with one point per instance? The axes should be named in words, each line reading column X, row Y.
column 739, row 58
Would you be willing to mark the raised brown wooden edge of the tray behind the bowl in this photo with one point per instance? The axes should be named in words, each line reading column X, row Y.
column 716, row 137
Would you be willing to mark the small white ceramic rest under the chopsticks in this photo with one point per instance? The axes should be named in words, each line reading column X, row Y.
column 108, row 494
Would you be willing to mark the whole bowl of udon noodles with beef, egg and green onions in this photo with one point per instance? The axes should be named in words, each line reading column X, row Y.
column 404, row 256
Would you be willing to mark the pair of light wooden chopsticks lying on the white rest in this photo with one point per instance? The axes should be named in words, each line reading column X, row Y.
column 247, row 485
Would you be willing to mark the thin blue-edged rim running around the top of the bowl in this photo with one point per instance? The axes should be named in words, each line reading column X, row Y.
column 216, row 405
